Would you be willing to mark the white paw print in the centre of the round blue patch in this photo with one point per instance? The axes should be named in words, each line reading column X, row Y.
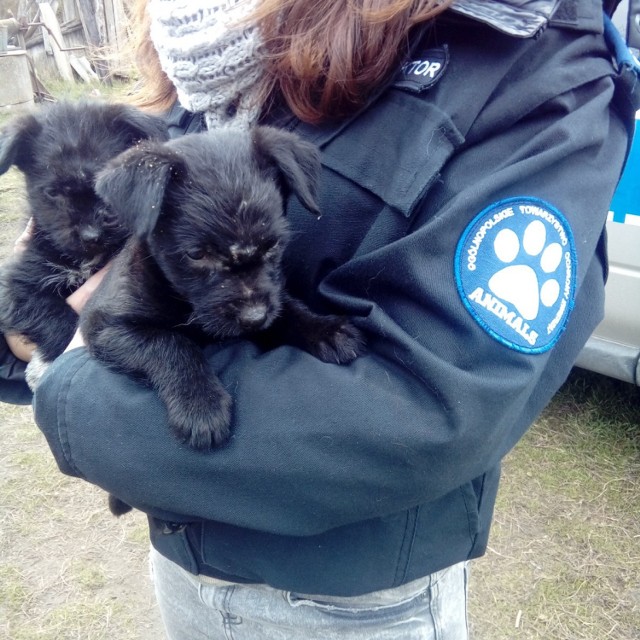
column 527, row 286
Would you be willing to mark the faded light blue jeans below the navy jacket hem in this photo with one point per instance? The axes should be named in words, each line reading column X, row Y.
column 199, row 608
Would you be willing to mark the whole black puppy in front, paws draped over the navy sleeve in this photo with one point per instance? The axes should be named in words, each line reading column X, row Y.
column 207, row 214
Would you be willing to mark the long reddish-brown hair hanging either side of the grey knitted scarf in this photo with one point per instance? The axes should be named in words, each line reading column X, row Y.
column 324, row 57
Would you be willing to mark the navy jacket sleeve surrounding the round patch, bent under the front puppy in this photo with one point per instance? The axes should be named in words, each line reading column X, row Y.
column 434, row 403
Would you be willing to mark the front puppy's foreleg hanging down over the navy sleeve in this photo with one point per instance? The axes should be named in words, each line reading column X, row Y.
column 198, row 406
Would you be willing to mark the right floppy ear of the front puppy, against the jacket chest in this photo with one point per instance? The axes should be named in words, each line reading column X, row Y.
column 297, row 160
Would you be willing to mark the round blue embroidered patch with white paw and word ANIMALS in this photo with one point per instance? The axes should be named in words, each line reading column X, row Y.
column 515, row 269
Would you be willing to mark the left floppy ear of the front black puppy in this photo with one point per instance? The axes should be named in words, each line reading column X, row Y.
column 134, row 185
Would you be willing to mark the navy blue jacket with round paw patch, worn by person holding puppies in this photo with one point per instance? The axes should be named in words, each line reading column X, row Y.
column 462, row 228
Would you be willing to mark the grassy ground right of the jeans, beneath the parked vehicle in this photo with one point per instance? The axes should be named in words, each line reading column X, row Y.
column 564, row 554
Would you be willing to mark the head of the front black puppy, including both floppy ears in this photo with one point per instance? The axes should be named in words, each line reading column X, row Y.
column 210, row 207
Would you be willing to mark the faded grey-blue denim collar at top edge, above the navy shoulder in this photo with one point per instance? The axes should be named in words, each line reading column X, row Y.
column 523, row 18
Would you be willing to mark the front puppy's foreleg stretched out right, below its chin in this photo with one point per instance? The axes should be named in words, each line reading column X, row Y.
column 330, row 338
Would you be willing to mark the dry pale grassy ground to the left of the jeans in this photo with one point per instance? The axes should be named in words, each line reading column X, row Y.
column 68, row 569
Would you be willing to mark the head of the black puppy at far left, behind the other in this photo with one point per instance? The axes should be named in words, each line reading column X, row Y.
column 60, row 149
